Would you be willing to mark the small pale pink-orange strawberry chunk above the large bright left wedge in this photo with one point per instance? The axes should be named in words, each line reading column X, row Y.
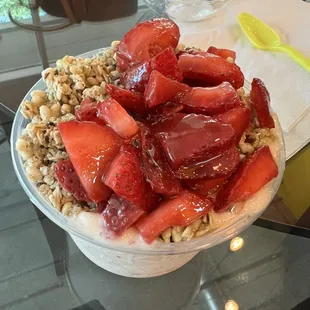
column 117, row 118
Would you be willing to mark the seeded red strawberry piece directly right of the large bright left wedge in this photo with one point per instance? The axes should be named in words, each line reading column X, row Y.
column 125, row 178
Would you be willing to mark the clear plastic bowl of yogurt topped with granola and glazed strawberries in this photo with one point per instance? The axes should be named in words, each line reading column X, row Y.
column 148, row 152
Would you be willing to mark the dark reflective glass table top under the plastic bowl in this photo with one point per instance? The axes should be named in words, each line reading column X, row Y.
column 41, row 267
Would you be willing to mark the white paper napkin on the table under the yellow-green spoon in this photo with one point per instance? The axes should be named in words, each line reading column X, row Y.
column 287, row 82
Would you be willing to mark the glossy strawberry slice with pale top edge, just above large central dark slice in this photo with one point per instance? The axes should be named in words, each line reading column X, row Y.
column 211, row 100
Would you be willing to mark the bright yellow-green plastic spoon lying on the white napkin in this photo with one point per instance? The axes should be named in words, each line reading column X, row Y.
column 265, row 38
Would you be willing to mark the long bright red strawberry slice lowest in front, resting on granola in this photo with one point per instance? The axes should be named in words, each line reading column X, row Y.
column 179, row 211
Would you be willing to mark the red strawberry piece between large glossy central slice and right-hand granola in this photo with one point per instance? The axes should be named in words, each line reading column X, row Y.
column 239, row 118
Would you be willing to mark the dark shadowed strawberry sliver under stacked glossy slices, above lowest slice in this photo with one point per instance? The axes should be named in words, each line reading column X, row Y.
column 204, row 187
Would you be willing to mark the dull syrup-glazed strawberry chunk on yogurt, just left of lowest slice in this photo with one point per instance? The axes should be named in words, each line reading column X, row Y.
column 120, row 215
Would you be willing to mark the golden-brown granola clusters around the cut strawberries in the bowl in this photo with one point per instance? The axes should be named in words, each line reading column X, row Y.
column 72, row 80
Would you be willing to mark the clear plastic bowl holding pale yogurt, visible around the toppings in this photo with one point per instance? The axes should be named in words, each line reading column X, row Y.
column 132, row 260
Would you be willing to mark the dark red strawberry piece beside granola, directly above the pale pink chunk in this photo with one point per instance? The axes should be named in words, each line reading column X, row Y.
column 129, row 100
